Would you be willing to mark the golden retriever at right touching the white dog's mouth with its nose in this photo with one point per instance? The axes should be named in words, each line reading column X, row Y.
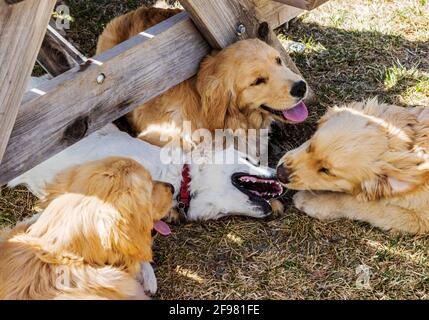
column 367, row 161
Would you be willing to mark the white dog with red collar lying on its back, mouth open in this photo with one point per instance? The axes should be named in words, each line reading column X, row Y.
column 216, row 190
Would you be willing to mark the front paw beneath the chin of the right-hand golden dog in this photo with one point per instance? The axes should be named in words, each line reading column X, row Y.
column 313, row 205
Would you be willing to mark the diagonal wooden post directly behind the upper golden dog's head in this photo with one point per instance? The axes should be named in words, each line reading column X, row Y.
column 219, row 22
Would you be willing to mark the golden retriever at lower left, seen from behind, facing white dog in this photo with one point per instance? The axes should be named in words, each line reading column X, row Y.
column 89, row 240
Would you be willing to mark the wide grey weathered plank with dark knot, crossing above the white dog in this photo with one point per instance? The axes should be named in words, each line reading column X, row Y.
column 75, row 104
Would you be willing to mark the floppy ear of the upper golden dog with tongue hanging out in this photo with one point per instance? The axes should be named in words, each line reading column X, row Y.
column 216, row 92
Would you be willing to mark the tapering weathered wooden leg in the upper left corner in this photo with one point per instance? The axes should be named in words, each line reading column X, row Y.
column 22, row 27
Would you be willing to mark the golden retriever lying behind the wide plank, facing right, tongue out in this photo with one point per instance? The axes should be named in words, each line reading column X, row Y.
column 245, row 86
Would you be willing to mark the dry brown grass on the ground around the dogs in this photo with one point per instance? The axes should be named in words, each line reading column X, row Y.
column 354, row 49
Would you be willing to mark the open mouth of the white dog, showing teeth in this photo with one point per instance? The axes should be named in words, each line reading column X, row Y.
column 256, row 187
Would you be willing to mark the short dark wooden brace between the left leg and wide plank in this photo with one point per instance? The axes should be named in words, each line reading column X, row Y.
column 57, row 55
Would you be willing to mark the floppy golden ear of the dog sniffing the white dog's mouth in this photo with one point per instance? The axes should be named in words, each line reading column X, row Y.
column 400, row 172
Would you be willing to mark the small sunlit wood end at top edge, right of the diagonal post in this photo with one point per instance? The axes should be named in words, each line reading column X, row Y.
column 275, row 13
